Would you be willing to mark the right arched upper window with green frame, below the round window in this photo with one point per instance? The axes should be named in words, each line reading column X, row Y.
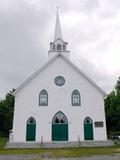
column 76, row 100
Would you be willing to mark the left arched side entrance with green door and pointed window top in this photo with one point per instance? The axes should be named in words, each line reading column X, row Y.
column 31, row 129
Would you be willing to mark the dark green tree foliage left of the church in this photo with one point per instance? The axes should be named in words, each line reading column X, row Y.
column 6, row 113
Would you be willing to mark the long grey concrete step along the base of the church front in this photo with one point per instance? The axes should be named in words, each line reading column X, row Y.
column 61, row 144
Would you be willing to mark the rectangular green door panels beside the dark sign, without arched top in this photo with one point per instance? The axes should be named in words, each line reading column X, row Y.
column 88, row 131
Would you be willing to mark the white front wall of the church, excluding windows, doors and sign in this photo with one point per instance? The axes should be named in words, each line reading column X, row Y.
column 59, row 99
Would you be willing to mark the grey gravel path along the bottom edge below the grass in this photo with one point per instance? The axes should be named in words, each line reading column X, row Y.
column 39, row 157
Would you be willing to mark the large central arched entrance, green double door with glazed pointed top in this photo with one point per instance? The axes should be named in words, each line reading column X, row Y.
column 59, row 127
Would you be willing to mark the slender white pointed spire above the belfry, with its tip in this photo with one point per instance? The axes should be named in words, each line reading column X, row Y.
column 58, row 32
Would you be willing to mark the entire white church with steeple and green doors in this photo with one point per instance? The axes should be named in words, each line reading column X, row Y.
column 59, row 102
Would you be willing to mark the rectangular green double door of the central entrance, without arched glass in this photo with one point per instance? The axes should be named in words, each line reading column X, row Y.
column 59, row 132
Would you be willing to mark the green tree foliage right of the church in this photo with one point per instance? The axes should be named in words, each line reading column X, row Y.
column 112, row 108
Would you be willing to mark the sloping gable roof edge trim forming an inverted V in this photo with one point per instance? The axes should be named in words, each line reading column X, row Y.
column 49, row 62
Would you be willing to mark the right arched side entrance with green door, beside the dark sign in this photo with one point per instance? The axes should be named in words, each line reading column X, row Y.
column 88, row 129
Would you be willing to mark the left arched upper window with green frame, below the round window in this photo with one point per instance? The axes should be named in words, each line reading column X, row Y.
column 43, row 98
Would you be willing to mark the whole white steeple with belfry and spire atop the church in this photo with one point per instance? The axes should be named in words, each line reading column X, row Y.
column 58, row 45
